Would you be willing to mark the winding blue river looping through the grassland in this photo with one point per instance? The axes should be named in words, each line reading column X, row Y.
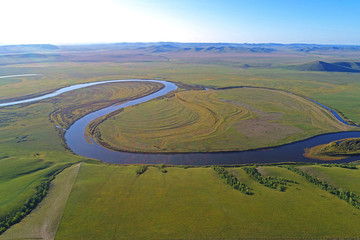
column 75, row 139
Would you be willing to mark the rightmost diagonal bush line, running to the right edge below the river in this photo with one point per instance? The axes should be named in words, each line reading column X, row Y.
column 343, row 194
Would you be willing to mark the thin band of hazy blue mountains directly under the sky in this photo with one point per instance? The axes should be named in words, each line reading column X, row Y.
column 160, row 47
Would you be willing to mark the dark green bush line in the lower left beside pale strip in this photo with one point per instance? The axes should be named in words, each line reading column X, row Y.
column 41, row 190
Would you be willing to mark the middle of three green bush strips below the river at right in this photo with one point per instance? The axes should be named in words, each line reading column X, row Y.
column 271, row 182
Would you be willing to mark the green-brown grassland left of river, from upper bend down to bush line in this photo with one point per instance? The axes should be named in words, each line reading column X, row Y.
column 31, row 146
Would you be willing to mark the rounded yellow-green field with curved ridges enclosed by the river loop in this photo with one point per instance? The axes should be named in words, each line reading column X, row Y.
column 222, row 120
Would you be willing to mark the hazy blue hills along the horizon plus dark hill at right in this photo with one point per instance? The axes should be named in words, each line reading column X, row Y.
column 163, row 51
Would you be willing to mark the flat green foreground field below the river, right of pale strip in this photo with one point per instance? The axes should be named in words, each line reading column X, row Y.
column 195, row 203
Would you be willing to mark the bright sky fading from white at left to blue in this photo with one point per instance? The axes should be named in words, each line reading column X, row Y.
column 238, row 21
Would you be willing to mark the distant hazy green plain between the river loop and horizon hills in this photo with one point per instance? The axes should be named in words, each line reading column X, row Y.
column 337, row 90
